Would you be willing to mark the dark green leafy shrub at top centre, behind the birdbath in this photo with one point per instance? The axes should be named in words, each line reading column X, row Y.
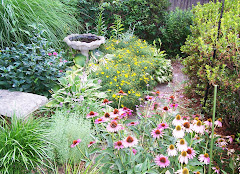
column 145, row 15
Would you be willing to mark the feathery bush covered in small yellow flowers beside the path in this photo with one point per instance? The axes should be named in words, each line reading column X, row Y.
column 130, row 66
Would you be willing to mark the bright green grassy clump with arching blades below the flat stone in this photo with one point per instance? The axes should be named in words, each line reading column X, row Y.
column 23, row 145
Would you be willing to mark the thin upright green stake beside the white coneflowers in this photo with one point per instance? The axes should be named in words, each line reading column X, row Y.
column 213, row 120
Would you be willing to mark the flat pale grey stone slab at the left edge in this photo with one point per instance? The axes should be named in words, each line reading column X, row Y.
column 20, row 103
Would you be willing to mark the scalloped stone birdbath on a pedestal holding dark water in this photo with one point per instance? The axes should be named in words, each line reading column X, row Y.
column 84, row 42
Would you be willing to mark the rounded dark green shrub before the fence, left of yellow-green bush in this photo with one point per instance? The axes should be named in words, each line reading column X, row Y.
column 175, row 30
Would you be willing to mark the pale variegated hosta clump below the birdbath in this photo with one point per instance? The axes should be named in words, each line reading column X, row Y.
column 76, row 90
